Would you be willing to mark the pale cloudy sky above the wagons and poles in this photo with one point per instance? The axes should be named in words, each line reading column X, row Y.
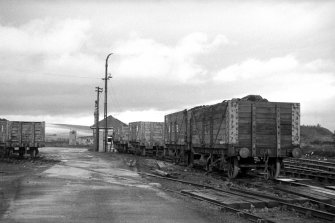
column 167, row 56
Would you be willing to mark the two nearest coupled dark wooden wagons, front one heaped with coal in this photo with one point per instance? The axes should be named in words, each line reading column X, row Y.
column 236, row 135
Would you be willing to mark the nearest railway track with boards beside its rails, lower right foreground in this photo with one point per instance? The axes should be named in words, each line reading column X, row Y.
column 328, row 215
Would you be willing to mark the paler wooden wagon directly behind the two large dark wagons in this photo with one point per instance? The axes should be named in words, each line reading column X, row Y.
column 146, row 138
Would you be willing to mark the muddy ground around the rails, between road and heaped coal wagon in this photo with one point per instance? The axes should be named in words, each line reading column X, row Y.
column 214, row 179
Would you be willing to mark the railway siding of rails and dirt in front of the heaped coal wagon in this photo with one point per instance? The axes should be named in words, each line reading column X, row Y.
column 262, row 202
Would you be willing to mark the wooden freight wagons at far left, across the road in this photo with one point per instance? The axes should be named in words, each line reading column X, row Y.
column 21, row 137
